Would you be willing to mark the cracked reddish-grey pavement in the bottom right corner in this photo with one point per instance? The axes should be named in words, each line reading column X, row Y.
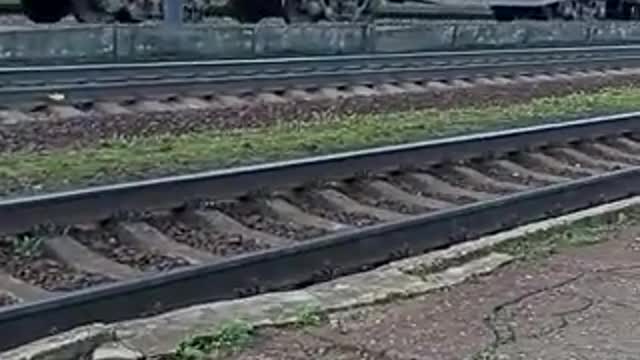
column 581, row 303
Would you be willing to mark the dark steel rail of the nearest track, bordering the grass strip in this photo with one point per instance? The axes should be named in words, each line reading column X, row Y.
column 90, row 204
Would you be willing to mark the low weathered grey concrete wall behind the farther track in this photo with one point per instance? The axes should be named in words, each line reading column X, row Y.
column 131, row 43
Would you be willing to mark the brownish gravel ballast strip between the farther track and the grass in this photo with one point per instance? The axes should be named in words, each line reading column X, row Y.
column 84, row 131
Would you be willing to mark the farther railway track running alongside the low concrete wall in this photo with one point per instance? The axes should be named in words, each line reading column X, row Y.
column 37, row 92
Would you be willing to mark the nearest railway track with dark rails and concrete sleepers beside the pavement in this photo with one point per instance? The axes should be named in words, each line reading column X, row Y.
column 117, row 252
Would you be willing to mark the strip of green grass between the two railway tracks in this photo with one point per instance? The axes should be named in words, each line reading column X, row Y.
column 120, row 159
